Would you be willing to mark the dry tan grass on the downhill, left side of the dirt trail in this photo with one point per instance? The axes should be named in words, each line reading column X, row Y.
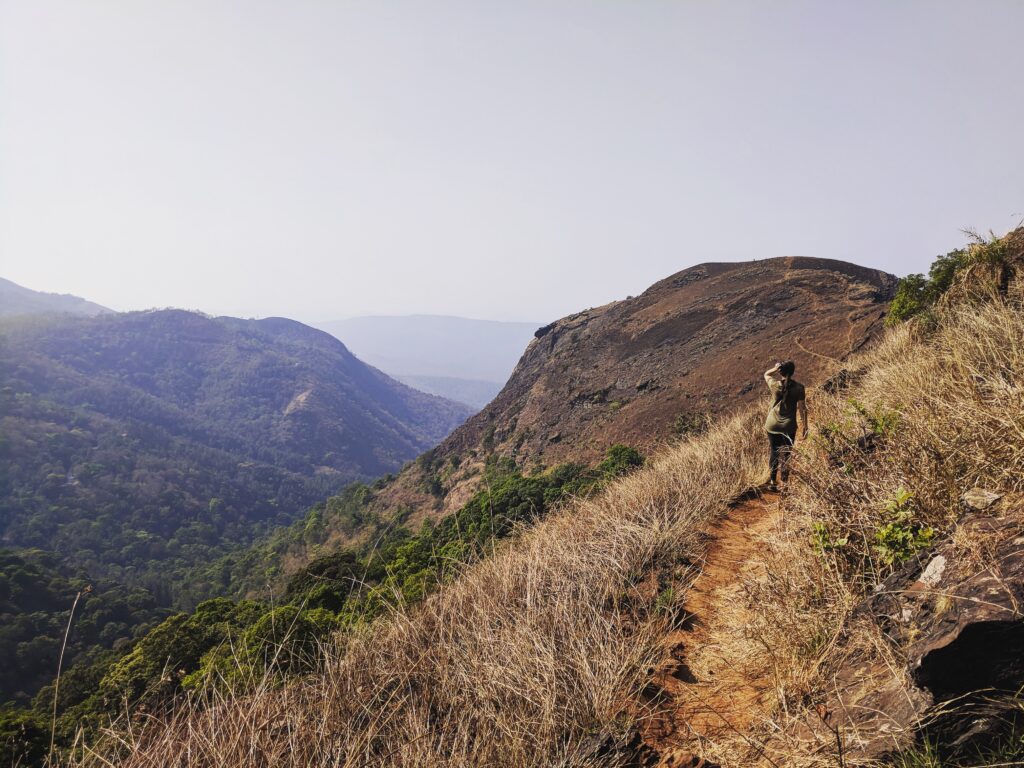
column 536, row 657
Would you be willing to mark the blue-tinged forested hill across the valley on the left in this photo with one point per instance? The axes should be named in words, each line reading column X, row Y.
column 138, row 446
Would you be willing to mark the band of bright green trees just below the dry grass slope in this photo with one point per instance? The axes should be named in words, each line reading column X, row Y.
column 233, row 644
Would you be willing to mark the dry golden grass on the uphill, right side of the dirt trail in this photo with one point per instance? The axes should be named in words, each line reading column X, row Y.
column 934, row 411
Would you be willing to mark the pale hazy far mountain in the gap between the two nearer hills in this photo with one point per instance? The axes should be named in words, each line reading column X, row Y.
column 461, row 359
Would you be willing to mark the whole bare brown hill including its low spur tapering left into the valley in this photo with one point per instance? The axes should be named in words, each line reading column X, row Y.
column 641, row 372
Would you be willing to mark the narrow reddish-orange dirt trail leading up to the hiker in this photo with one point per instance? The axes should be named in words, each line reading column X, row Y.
column 712, row 685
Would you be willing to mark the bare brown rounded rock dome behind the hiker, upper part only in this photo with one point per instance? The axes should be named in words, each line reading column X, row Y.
column 692, row 346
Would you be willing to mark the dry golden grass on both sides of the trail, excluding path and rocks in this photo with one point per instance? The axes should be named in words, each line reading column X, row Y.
column 540, row 655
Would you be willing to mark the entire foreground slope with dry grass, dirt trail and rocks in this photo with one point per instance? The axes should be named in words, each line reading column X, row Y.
column 858, row 644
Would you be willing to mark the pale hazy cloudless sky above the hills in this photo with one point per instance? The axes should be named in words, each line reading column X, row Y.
column 497, row 159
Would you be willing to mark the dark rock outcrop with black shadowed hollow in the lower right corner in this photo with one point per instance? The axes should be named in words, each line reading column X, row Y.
column 962, row 622
